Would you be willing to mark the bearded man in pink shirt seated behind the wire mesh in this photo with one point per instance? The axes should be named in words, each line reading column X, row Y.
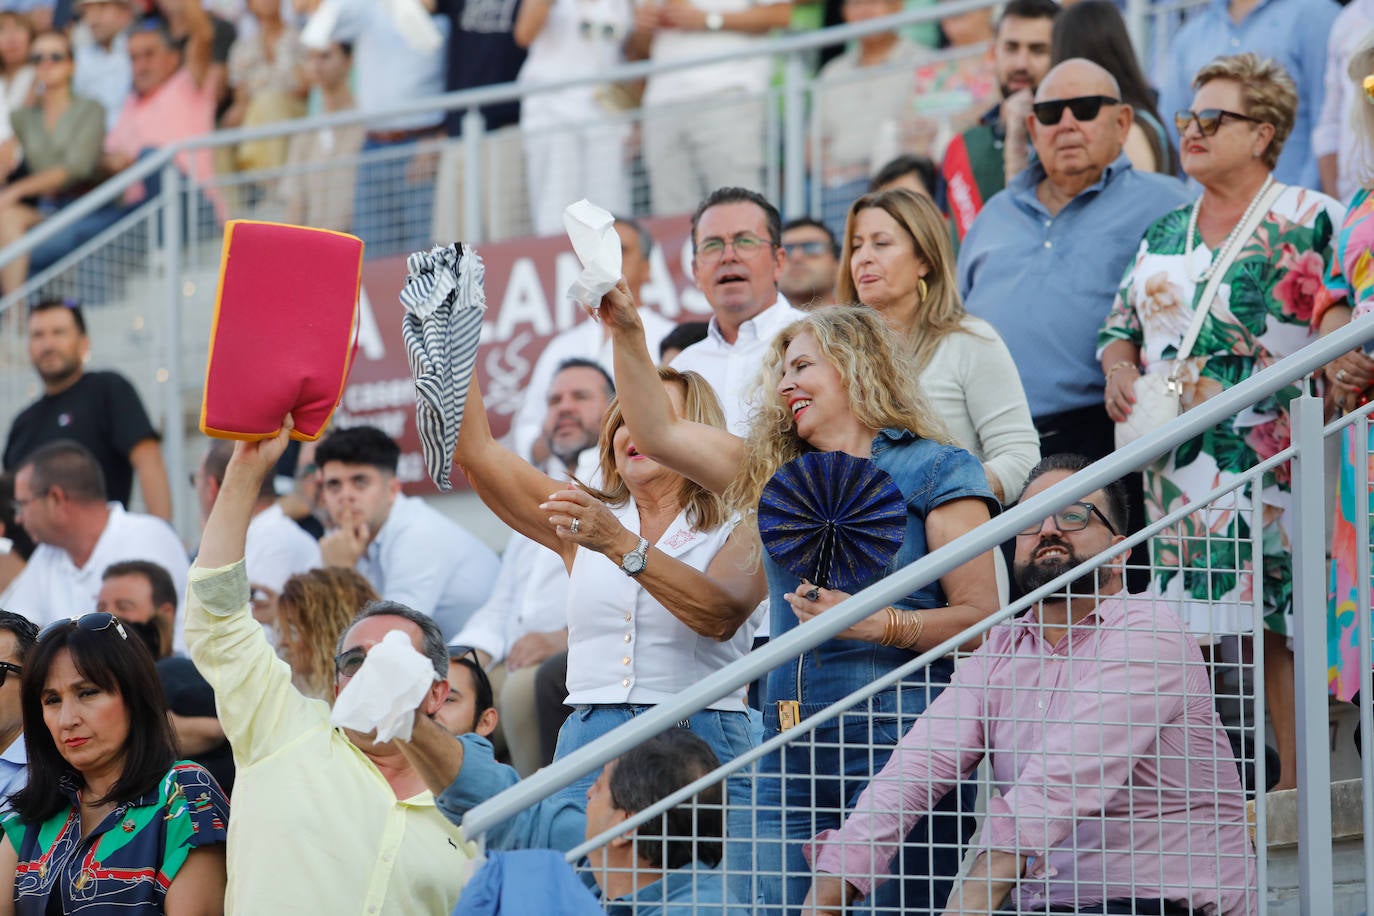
column 1119, row 790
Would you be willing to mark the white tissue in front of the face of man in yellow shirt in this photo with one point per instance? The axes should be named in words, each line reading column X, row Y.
column 387, row 690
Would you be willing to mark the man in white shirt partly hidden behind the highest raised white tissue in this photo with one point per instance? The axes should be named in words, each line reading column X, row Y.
column 587, row 341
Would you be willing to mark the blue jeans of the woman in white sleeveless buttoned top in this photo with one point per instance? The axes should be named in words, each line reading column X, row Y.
column 729, row 735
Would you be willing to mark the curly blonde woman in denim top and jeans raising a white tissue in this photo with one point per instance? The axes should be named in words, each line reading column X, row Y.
column 837, row 380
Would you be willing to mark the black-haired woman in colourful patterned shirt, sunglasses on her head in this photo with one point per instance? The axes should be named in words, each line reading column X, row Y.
column 111, row 822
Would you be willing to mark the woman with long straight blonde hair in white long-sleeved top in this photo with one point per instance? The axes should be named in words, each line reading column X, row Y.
column 898, row 260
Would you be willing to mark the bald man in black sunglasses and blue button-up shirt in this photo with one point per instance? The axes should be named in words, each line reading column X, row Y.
column 1045, row 259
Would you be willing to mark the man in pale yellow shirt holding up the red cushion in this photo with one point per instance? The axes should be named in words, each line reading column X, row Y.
column 366, row 836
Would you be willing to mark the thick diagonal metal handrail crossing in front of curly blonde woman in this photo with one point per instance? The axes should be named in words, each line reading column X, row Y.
column 917, row 576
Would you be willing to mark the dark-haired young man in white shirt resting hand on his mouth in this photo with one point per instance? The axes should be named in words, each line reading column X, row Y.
column 409, row 551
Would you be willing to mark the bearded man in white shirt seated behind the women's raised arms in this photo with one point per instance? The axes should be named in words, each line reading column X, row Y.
column 526, row 620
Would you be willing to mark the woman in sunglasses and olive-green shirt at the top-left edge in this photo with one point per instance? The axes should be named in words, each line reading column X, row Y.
column 60, row 137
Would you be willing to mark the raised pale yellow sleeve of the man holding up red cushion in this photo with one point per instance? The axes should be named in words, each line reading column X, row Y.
column 260, row 709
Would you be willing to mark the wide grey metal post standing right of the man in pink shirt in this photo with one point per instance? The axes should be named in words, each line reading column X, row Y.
column 1314, row 762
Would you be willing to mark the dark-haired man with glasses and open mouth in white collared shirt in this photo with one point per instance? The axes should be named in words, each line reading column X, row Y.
column 737, row 263
